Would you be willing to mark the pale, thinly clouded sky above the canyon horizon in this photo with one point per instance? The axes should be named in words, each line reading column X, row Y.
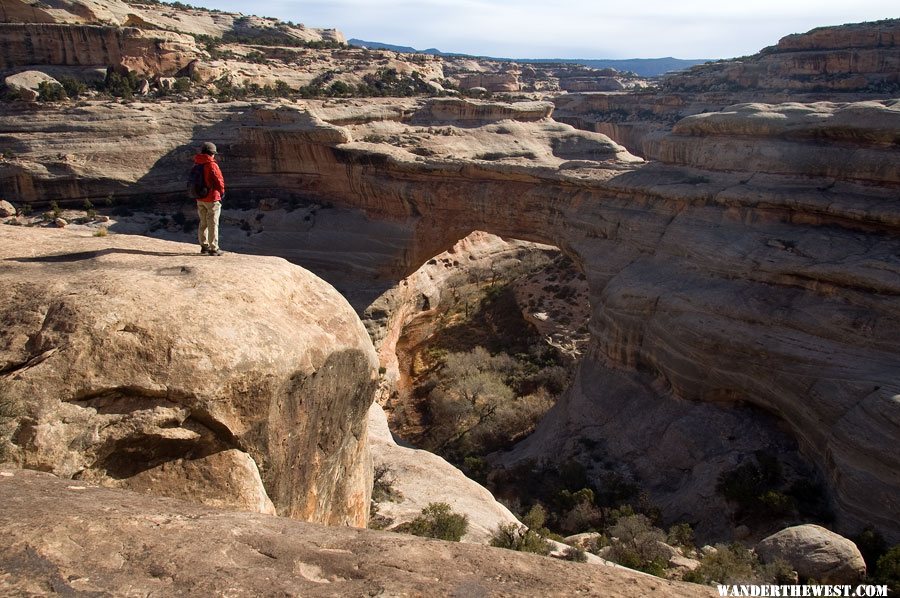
column 571, row 28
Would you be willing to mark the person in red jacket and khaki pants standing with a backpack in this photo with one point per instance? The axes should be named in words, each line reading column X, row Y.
column 208, row 187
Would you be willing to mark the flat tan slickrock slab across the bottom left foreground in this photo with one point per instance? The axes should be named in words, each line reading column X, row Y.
column 119, row 543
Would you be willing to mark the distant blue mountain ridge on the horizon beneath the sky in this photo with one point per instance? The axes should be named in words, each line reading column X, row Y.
column 645, row 67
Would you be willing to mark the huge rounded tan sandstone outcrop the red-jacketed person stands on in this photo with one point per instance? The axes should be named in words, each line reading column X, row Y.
column 139, row 363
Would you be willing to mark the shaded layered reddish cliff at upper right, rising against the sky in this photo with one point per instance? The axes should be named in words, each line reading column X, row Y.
column 848, row 63
